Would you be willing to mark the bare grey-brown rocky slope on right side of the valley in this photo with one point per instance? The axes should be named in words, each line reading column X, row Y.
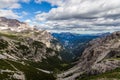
column 101, row 55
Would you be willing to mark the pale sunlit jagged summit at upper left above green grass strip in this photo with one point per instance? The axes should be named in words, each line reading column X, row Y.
column 13, row 25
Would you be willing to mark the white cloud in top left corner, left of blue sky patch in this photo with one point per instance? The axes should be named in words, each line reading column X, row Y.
column 7, row 6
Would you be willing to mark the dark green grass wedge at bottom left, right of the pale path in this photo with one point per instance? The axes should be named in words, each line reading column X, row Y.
column 32, row 73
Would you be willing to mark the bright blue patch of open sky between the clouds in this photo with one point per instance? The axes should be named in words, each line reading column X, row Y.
column 31, row 9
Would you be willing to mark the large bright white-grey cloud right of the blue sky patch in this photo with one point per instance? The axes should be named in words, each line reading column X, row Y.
column 83, row 9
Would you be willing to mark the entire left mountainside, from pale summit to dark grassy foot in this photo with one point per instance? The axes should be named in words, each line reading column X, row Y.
column 27, row 53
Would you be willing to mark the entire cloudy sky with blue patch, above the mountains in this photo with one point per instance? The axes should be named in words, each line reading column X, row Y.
column 76, row 16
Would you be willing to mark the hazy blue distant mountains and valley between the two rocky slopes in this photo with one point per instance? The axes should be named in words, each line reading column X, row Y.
column 75, row 43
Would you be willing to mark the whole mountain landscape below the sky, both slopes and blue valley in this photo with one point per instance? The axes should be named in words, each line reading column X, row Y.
column 27, row 53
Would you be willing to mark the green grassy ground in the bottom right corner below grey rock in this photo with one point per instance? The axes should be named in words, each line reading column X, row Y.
column 109, row 75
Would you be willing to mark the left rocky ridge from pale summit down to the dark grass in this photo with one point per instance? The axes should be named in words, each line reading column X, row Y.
column 25, row 41
